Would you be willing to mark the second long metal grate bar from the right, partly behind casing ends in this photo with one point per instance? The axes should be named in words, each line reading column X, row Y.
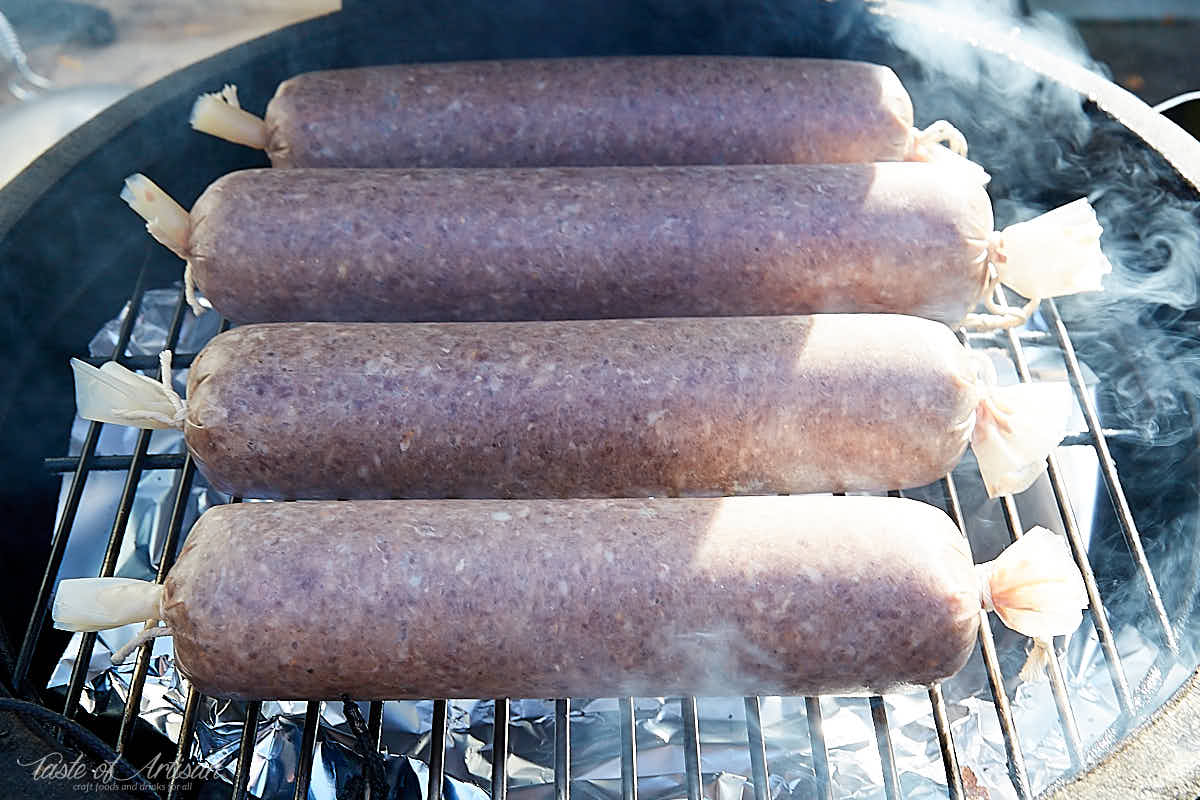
column 1076, row 540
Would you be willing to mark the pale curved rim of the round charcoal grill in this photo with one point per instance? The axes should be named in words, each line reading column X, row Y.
column 1183, row 153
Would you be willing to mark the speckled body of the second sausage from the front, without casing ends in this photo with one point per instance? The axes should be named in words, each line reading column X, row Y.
column 607, row 408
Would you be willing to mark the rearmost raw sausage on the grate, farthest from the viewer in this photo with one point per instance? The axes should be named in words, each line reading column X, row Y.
column 581, row 113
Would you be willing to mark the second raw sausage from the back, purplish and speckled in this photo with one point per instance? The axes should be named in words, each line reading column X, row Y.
column 586, row 244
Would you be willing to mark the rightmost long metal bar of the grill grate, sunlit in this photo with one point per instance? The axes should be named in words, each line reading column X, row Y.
column 1109, row 473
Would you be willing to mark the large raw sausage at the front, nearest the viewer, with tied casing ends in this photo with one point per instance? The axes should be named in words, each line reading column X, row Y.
column 386, row 600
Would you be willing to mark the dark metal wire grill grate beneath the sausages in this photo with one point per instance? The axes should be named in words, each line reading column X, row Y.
column 140, row 461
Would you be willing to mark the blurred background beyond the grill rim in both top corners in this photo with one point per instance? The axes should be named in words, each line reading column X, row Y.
column 63, row 62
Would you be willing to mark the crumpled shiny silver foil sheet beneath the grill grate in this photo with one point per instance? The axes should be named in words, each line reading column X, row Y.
column 596, row 743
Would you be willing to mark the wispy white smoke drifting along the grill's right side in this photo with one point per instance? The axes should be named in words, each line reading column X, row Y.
column 1046, row 146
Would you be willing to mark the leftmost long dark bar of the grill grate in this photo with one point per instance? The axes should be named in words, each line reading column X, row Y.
column 70, row 509
